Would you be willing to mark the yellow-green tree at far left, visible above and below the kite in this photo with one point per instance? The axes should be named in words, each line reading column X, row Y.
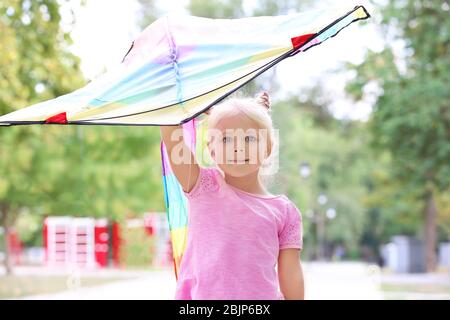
column 35, row 65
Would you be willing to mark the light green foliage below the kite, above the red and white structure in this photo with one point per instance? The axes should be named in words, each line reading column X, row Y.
column 105, row 171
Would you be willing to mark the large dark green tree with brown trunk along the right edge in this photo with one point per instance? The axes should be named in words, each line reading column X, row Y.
column 411, row 117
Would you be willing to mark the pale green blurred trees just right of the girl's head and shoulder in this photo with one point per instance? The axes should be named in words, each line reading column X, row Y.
column 339, row 161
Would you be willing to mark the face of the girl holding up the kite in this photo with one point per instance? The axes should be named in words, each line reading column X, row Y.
column 238, row 146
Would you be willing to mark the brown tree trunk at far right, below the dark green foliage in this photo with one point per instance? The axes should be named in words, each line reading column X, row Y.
column 430, row 232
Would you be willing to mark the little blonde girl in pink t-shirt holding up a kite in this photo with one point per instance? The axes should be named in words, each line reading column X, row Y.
column 238, row 232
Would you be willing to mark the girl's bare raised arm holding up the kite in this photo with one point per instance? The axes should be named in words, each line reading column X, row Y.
column 182, row 160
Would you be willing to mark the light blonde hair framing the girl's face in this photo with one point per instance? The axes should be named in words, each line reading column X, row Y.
column 255, row 110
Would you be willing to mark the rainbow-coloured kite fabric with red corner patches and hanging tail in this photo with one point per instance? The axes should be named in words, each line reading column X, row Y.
column 178, row 68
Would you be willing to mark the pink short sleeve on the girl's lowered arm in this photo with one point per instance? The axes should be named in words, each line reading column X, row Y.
column 291, row 233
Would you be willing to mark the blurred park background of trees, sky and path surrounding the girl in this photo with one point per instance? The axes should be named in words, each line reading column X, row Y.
column 364, row 125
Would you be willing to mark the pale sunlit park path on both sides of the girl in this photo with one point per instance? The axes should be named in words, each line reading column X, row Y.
column 323, row 281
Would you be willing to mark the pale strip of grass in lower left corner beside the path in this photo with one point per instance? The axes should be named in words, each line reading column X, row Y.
column 14, row 286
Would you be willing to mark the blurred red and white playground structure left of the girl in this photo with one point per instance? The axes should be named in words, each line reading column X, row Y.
column 87, row 242
